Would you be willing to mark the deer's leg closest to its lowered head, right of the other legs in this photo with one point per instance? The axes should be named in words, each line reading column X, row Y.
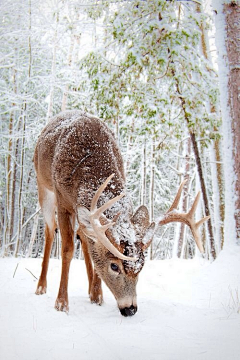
column 95, row 287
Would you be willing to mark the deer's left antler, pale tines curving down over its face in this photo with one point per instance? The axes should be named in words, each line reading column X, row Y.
column 100, row 229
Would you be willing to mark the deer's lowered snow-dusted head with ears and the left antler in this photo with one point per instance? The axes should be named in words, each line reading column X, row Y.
column 117, row 246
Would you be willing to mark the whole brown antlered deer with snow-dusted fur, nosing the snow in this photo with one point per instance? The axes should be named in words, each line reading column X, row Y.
column 80, row 177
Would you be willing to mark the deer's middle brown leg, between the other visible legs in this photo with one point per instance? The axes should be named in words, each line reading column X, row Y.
column 65, row 226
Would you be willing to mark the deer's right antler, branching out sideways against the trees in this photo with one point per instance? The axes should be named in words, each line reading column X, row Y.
column 172, row 215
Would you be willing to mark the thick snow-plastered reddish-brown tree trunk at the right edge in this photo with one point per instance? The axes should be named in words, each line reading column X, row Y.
column 227, row 40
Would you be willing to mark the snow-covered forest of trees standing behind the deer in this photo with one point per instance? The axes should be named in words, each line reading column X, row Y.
column 162, row 77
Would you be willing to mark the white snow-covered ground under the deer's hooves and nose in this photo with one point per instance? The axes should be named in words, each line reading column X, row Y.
column 187, row 309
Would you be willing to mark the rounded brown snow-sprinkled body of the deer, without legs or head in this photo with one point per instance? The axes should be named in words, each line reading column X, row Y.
column 75, row 153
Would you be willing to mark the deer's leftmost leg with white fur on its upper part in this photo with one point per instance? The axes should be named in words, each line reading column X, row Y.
column 48, row 205
